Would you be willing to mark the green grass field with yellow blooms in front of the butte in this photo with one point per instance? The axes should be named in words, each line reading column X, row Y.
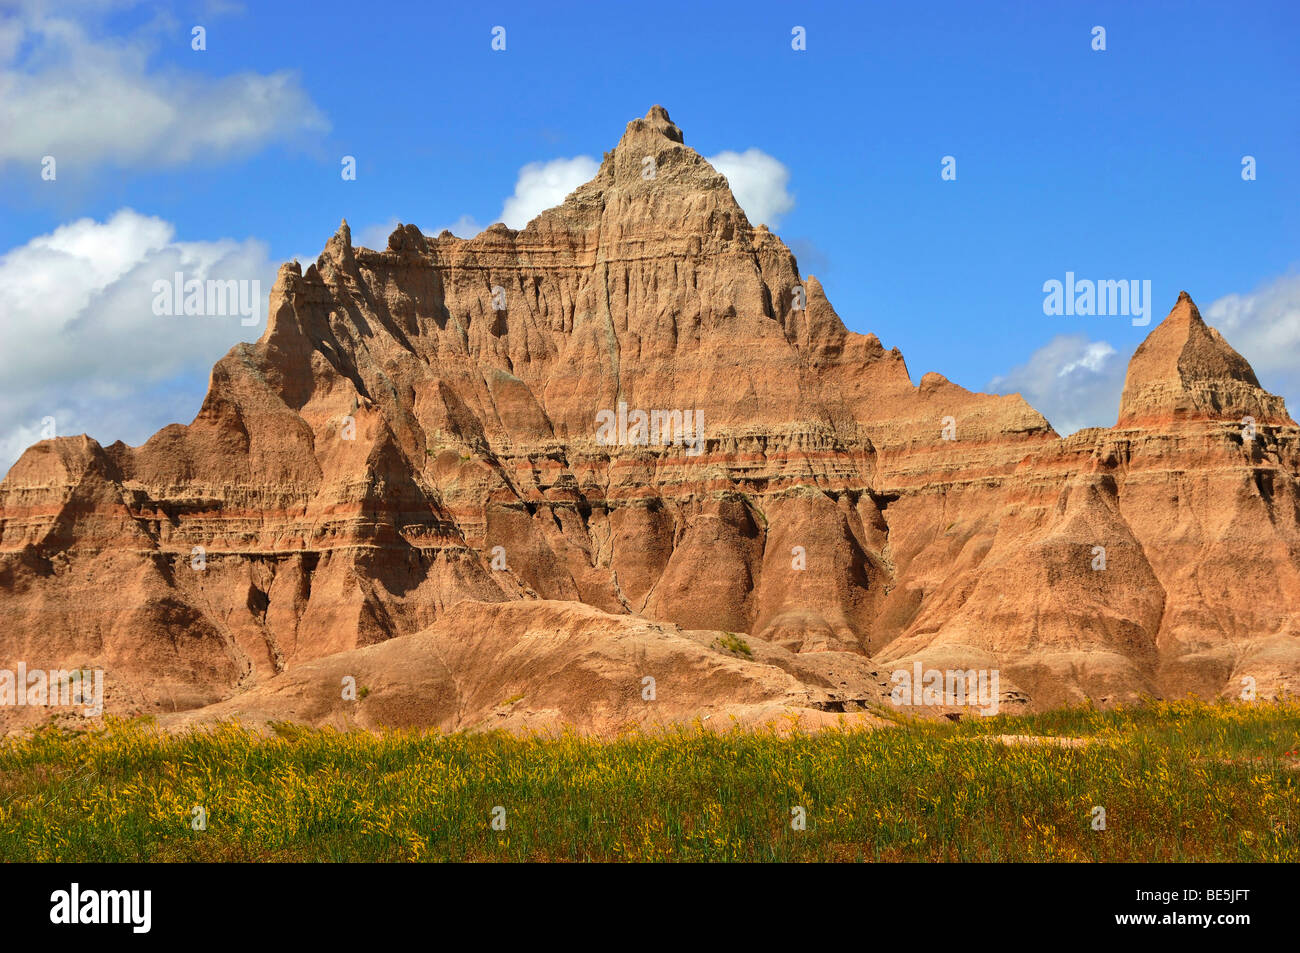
column 1178, row 782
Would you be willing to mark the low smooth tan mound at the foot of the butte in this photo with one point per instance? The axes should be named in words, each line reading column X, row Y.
column 541, row 666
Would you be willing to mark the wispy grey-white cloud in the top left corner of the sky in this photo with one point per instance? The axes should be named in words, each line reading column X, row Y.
column 83, row 97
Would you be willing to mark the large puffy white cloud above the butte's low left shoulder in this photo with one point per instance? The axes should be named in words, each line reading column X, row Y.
column 84, row 344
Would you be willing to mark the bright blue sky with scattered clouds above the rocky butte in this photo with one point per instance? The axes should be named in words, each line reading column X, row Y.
column 1124, row 163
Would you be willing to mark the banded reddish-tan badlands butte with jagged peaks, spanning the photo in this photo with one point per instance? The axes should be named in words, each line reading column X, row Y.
column 404, row 483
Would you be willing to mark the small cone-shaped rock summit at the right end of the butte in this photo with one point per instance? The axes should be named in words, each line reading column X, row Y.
column 1185, row 369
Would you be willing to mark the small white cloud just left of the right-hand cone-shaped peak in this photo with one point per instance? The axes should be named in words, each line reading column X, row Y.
column 1073, row 382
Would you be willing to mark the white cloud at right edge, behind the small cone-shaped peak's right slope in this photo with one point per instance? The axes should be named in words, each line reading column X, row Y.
column 1264, row 327
